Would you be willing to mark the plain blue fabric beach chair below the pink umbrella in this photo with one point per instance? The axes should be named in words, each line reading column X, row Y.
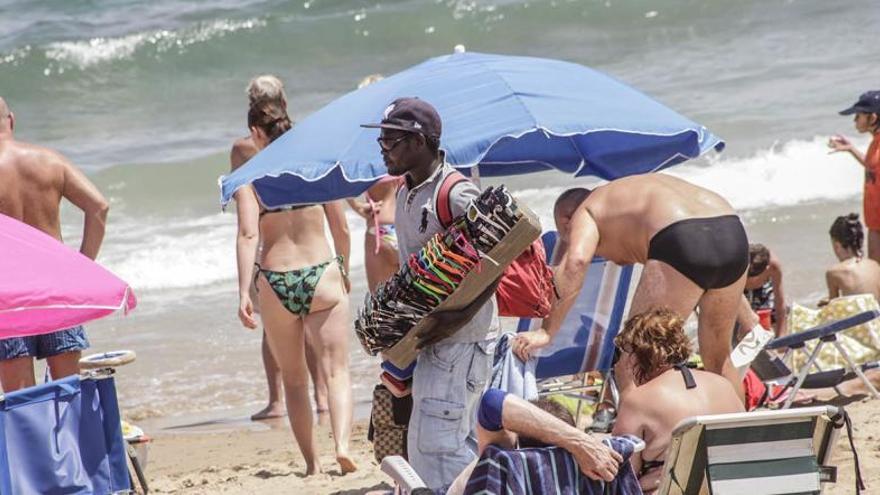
column 63, row 437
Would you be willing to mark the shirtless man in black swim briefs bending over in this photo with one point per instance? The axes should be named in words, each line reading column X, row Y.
column 692, row 244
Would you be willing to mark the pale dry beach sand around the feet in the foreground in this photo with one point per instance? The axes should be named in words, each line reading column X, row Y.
column 239, row 457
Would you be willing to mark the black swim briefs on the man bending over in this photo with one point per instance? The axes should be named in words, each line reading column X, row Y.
column 711, row 252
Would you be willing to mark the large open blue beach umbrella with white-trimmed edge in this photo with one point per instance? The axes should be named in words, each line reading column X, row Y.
column 506, row 115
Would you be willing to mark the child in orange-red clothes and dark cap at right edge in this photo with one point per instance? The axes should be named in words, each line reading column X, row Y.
column 867, row 120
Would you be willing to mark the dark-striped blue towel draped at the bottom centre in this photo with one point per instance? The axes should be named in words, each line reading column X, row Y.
column 547, row 470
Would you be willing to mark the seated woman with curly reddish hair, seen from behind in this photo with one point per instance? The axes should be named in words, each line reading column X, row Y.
column 655, row 350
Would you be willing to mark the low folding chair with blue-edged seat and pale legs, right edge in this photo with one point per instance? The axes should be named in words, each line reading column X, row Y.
column 774, row 370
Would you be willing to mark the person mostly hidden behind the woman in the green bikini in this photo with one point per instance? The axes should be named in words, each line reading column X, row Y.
column 262, row 88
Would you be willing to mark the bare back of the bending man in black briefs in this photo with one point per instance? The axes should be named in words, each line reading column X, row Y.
column 629, row 211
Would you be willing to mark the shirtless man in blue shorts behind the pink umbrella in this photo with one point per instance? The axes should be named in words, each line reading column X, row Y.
column 33, row 180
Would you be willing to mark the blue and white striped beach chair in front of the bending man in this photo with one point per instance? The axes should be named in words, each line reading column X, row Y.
column 585, row 341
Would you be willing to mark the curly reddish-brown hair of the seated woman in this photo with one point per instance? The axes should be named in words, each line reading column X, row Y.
column 656, row 339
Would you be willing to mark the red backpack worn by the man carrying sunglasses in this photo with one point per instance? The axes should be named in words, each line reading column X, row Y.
column 526, row 288
